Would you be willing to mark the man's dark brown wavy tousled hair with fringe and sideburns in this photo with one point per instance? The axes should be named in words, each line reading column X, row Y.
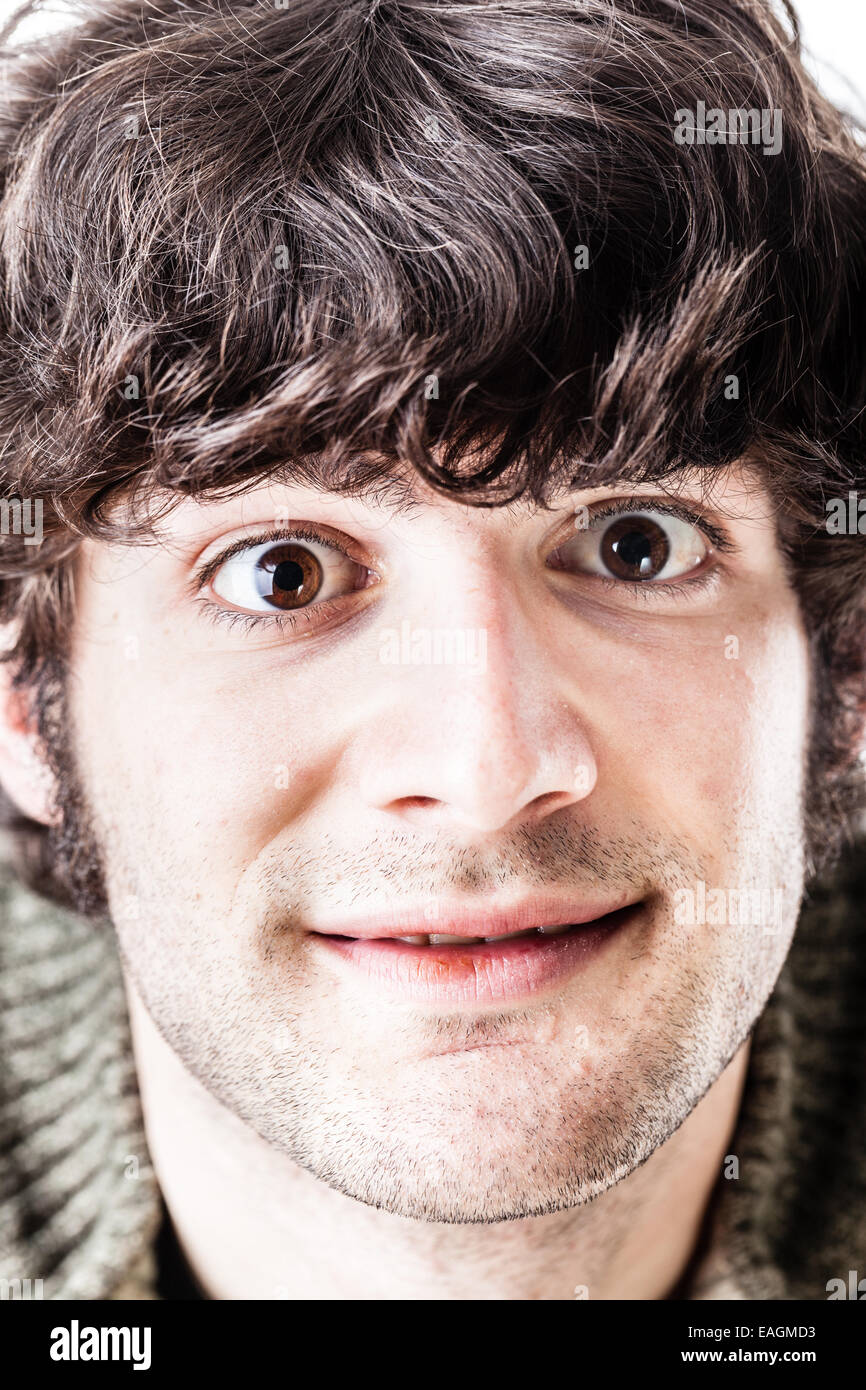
column 323, row 238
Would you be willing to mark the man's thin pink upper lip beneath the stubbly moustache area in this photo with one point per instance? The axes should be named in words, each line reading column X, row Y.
column 465, row 919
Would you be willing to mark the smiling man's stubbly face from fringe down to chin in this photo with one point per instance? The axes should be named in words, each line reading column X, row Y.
column 459, row 722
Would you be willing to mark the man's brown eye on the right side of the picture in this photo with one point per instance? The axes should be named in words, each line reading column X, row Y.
column 635, row 547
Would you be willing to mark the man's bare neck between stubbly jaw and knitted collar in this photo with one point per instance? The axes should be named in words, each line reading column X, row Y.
column 255, row 1225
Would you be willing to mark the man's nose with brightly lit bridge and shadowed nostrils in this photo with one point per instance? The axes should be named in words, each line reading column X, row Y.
column 486, row 740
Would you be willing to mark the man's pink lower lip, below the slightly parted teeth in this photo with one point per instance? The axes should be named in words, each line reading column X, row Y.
column 486, row 974
